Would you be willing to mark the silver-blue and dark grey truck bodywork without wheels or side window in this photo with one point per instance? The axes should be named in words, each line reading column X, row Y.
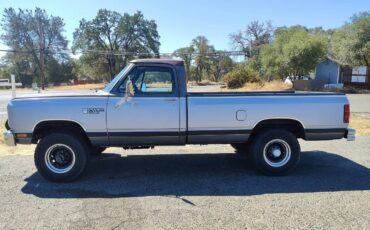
column 180, row 118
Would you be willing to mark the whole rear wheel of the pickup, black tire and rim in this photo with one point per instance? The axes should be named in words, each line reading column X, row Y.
column 275, row 152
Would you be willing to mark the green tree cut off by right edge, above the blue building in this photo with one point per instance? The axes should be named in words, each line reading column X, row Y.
column 350, row 44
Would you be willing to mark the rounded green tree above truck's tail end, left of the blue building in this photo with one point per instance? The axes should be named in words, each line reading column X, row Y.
column 294, row 51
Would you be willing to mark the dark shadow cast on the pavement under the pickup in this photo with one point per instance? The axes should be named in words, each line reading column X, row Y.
column 223, row 174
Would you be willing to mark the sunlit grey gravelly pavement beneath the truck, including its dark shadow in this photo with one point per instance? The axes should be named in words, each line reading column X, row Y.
column 193, row 187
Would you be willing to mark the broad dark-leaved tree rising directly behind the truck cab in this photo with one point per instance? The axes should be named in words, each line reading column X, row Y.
column 111, row 38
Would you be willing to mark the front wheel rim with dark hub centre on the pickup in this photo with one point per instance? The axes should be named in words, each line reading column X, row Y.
column 60, row 158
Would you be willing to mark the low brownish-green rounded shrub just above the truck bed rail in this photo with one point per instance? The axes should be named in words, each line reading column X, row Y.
column 240, row 75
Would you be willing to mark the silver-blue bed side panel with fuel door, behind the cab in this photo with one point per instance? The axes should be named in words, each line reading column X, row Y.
column 222, row 119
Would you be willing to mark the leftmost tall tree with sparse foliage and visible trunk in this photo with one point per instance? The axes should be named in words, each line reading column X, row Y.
column 35, row 36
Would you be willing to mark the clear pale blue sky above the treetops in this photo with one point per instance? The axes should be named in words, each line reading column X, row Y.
column 180, row 21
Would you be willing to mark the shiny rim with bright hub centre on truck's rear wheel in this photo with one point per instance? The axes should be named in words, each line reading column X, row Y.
column 277, row 153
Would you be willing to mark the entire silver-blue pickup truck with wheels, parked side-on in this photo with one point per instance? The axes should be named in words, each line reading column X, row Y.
column 147, row 104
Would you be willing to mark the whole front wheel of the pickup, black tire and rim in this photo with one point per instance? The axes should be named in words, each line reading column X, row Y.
column 61, row 157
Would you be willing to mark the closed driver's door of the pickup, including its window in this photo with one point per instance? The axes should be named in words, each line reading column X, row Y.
column 151, row 116
